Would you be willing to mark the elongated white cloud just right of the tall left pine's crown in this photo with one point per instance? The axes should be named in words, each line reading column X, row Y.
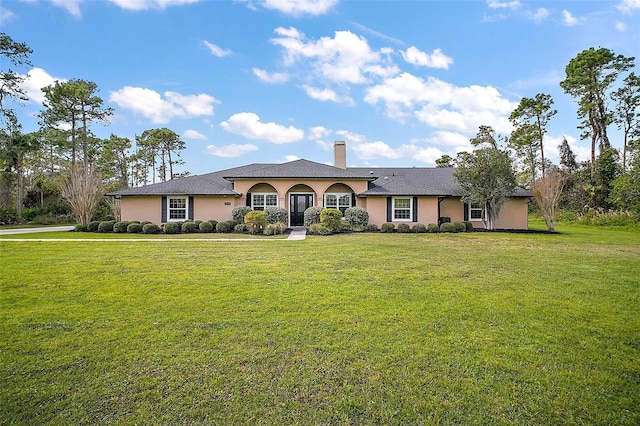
column 151, row 105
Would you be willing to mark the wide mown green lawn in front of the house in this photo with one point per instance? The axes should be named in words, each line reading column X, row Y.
column 351, row 329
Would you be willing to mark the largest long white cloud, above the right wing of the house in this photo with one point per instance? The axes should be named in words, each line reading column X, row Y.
column 442, row 105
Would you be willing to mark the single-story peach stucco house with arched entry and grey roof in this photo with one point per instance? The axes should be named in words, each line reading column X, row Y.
column 399, row 195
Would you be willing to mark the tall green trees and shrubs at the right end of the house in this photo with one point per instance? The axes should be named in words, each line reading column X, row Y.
column 607, row 93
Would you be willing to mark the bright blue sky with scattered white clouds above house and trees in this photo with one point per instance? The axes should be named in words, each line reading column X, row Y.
column 402, row 82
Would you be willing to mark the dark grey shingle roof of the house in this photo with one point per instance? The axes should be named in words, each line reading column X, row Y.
column 385, row 181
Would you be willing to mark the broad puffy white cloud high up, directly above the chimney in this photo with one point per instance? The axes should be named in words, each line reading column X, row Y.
column 345, row 58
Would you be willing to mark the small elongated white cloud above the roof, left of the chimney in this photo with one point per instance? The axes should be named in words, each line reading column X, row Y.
column 248, row 124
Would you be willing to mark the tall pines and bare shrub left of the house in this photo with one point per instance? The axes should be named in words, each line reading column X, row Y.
column 63, row 164
